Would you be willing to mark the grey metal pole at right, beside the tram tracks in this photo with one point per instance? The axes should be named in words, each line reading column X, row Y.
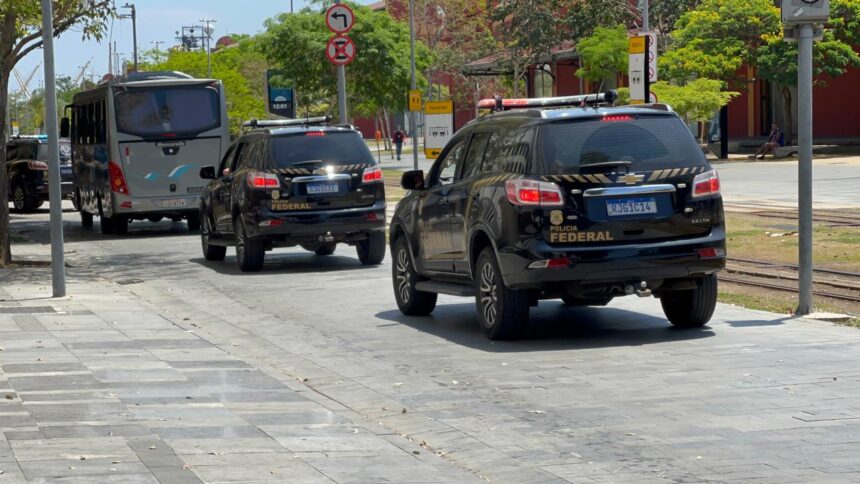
column 804, row 168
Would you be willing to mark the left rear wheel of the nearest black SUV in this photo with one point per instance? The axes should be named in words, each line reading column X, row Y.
column 502, row 311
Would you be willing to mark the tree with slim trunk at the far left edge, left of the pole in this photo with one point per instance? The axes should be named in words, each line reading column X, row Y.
column 20, row 34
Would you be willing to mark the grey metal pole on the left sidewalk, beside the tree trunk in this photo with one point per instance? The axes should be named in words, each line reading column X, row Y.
column 58, row 270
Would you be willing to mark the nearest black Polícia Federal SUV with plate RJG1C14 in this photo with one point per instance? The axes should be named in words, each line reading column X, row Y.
column 562, row 198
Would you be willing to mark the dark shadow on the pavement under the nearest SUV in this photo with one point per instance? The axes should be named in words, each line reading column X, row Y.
column 551, row 326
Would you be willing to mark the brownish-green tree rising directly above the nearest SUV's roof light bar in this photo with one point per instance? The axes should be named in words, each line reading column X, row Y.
column 528, row 31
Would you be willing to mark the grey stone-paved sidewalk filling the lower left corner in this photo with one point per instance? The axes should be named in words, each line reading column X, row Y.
column 100, row 387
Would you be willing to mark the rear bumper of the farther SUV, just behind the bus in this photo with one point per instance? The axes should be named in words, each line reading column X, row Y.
column 303, row 226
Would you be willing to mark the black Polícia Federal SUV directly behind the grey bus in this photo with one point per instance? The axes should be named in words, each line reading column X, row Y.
column 288, row 183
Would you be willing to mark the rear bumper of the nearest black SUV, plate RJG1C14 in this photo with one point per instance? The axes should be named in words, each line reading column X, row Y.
column 614, row 264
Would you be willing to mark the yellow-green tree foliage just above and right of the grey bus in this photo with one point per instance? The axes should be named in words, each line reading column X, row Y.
column 241, row 68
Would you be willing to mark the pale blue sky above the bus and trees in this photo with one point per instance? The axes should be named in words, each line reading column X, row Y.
column 157, row 20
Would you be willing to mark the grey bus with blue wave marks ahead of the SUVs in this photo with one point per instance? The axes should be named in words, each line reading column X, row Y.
column 138, row 143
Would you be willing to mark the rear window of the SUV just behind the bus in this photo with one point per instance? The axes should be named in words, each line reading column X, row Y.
column 331, row 147
